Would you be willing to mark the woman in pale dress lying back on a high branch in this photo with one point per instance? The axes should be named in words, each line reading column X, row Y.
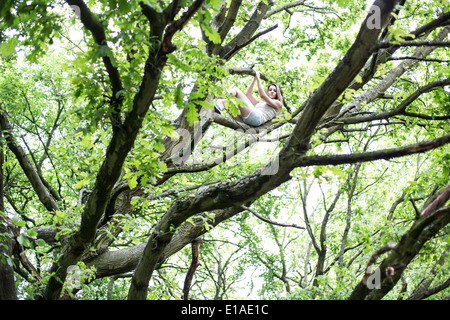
column 255, row 112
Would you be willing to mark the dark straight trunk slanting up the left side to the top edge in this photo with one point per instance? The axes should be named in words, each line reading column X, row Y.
column 120, row 145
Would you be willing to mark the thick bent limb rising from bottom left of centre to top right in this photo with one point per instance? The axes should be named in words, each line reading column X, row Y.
column 252, row 187
